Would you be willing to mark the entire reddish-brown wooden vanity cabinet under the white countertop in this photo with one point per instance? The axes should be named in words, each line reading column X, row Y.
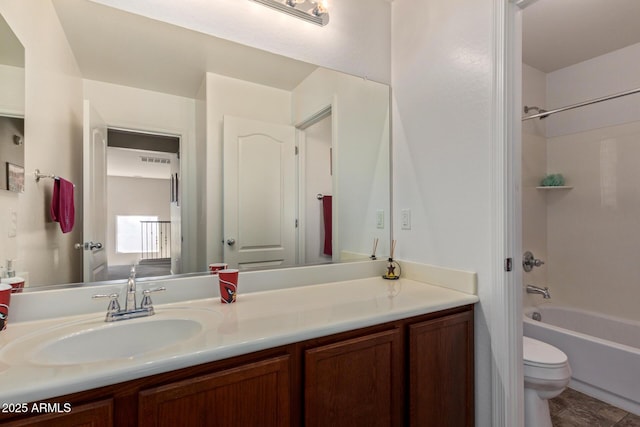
column 416, row 372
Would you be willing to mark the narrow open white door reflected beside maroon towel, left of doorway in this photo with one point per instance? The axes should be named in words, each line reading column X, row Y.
column 94, row 194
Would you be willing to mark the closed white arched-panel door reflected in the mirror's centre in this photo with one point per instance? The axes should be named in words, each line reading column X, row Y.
column 258, row 193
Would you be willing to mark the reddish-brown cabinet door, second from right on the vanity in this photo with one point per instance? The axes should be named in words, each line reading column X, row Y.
column 357, row 382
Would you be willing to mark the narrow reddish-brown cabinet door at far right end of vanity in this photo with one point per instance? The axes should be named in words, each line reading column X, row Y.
column 441, row 371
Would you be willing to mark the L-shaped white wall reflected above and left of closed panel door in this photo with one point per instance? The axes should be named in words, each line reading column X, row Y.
column 225, row 95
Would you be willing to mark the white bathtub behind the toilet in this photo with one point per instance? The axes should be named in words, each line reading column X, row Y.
column 603, row 351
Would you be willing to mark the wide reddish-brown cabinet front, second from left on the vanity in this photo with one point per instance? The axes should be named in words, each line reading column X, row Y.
column 256, row 394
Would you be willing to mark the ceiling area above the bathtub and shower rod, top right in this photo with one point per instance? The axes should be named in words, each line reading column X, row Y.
column 559, row 33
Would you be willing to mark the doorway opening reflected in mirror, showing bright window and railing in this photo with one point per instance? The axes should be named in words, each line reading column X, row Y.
column 143, row 203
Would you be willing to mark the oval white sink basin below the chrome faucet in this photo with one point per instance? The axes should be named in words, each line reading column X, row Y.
column 92, row 341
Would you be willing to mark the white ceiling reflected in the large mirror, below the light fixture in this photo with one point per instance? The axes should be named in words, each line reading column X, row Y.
column 118, row 47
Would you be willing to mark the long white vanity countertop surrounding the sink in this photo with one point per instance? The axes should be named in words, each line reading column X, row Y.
column 257, row 321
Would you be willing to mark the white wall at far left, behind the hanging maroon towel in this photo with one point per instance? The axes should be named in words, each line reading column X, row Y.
column 53, row 141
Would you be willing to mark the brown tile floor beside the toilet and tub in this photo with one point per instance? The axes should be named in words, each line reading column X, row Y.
column 575, row 409
